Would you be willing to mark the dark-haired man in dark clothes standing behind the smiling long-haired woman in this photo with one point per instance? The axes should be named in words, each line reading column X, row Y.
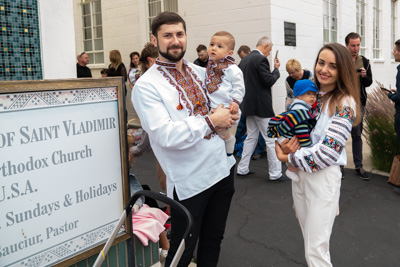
column 363, row 69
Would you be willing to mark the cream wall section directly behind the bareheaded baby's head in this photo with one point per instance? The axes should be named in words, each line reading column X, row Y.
column 247, row 21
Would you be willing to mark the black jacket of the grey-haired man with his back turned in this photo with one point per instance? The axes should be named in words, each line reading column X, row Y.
column 258, row 80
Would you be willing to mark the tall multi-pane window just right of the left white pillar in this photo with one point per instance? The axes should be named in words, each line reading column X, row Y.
column 93, row 31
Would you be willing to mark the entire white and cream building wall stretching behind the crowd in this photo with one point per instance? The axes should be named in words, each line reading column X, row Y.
column 125, row 27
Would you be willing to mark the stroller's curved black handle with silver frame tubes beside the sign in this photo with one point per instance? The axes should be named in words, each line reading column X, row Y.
column 128, row 210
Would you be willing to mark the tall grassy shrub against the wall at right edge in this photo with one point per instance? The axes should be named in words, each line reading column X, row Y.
column 379, row 130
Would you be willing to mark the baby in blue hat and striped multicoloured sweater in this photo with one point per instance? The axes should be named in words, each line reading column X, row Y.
column 297, row 120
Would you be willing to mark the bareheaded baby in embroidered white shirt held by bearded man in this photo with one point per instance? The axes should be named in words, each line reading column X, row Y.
column 224, row 80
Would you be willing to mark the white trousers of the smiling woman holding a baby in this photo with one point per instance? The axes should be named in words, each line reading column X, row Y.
column 316, row 201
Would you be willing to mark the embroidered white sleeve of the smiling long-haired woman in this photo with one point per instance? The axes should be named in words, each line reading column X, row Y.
column 331, row 144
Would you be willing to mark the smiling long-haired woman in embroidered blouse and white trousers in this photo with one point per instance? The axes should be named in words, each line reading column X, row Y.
column 316, row 194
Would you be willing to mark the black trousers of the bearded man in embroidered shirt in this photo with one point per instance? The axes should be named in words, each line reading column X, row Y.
column 210, row 210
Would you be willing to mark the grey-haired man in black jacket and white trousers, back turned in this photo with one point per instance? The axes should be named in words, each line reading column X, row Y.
column 257, row 107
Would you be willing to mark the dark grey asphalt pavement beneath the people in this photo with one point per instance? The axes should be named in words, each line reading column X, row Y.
column 262, row 229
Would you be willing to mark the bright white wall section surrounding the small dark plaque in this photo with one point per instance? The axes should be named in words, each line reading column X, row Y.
column 307, row 15
